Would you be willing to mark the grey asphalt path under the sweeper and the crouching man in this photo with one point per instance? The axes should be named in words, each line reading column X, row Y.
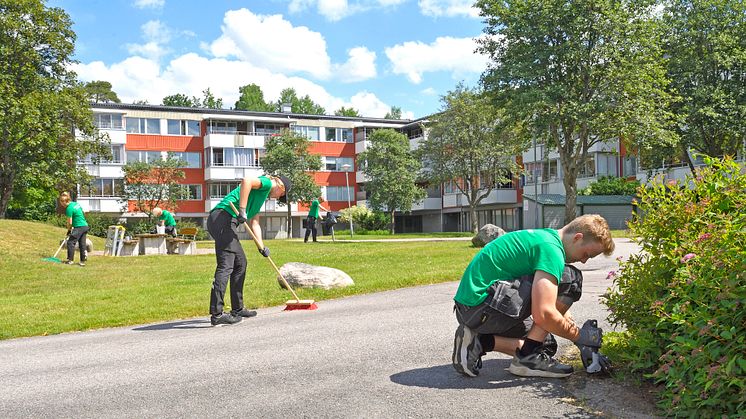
column 378, row 355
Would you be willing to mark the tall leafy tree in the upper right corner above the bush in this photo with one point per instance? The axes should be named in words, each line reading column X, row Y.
column 706, row 43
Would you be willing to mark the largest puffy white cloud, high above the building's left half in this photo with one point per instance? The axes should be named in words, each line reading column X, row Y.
column 272, row 42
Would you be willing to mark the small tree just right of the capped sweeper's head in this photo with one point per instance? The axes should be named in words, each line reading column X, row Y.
column 287, row 154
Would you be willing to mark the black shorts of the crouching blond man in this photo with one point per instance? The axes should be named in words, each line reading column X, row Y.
column 507, row 309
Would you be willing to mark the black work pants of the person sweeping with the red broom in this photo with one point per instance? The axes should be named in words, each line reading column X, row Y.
column 231, row 261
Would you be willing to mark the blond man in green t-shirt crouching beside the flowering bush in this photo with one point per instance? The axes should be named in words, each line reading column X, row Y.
column 522, row 274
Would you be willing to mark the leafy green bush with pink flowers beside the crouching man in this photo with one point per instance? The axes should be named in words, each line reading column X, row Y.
column 682, row 298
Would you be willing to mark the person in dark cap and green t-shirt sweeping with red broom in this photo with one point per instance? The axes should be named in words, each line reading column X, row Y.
column 222, row 224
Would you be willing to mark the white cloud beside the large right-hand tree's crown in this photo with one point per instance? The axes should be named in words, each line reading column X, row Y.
column 455, row 55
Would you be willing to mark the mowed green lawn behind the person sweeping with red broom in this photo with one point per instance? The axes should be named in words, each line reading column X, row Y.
column 39, row 297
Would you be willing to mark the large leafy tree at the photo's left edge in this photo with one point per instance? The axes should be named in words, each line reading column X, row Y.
column 41, row 102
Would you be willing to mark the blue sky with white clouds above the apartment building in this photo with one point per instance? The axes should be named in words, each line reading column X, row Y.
column 367, row 54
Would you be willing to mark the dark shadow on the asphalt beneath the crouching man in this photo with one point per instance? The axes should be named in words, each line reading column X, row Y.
column 493, row 375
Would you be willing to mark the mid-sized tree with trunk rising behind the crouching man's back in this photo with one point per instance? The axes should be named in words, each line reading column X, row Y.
column 469, row 145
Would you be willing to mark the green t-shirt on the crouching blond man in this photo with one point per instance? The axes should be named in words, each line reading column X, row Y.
column 508, row 257
